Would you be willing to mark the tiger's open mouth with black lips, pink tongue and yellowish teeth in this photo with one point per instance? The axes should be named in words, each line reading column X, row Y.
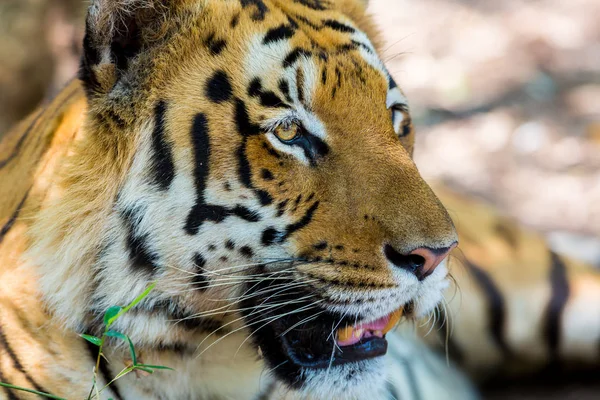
column 298, row 337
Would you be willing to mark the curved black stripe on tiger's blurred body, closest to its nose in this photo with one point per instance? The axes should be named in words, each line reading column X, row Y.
column 496, row 305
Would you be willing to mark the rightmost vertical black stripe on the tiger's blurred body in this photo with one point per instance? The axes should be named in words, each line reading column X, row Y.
column 558, row 300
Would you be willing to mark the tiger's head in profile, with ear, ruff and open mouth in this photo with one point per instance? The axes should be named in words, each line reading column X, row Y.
column 252, row 157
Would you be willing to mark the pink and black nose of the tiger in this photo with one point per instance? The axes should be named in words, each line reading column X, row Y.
column 421, row 261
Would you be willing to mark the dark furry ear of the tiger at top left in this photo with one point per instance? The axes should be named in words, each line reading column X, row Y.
column 116, row 32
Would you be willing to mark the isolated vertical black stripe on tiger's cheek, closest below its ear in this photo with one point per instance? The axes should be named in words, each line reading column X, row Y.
column 162, row 164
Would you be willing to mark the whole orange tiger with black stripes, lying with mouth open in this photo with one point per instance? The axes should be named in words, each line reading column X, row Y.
column 252, row 159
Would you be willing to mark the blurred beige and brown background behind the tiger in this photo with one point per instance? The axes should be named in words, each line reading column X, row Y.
column 505, row 96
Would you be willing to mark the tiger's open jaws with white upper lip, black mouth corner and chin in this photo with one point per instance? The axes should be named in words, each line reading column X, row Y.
column 299, row 334
